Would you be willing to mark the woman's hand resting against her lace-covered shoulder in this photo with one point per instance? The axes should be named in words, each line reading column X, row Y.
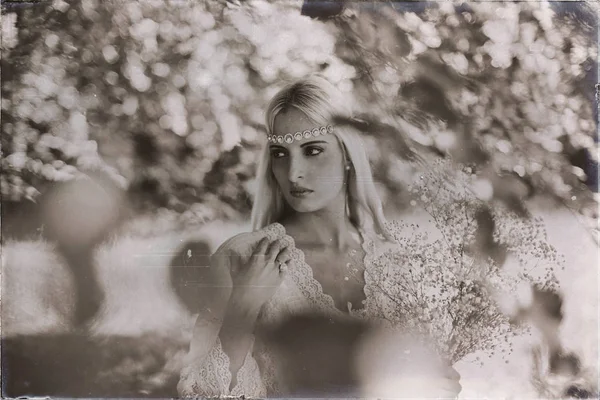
column 256, row 280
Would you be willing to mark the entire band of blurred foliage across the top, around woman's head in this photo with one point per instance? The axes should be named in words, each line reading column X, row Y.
column 160, row 95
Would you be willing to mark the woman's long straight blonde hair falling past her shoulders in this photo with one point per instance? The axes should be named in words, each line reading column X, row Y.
column 321, row 102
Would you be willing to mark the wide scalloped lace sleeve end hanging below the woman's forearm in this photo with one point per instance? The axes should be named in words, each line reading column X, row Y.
column 211, row 377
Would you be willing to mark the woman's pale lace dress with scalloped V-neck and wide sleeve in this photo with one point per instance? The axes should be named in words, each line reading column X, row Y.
column 208, row 374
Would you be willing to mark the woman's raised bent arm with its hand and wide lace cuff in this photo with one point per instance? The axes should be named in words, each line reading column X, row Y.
column 254, row 282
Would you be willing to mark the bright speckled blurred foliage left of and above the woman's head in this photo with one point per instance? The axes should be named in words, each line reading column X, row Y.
column 165, row 92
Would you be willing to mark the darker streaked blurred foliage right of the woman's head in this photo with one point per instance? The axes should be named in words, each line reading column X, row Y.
column 493, row 85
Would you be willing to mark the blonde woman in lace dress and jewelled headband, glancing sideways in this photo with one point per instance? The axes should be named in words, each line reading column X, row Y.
column 315, row 186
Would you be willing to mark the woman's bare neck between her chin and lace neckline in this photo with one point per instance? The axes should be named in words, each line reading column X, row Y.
column 327, row 227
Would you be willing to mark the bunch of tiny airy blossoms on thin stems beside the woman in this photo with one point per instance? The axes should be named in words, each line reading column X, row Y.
column 451, row 275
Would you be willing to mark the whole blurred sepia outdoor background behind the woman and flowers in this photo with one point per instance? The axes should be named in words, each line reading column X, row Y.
column 130, row 136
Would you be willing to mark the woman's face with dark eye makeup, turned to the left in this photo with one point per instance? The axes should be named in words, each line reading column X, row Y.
column 309, row 172
